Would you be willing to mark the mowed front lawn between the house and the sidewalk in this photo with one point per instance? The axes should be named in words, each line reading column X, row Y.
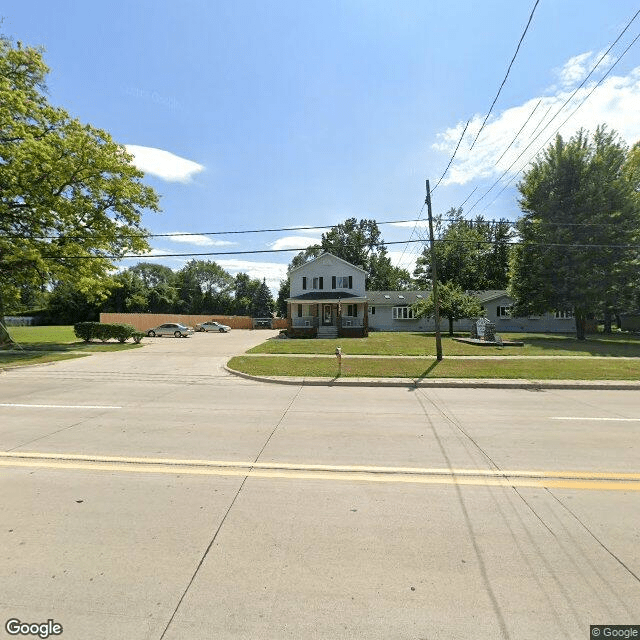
column 424, row 344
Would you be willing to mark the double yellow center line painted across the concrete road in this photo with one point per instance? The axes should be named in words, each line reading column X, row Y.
column 477, row 477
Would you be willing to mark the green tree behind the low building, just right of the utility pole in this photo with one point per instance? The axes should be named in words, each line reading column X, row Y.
column 474, row 254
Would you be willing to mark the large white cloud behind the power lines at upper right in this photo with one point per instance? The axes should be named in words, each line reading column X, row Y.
column 615, row 103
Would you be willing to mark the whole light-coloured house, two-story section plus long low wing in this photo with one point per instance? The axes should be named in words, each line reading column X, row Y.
column 328, row 299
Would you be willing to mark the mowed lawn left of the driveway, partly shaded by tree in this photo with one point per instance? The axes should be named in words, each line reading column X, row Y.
column 37, row 345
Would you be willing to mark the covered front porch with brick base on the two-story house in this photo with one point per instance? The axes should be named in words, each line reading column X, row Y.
column 328, row 318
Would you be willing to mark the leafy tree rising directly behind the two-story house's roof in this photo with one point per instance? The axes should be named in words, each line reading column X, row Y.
column 361, row 244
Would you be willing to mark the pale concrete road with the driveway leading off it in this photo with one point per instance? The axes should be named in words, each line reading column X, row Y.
column 149, row 494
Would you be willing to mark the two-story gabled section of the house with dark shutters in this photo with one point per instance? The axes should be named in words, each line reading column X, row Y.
column 327, row 299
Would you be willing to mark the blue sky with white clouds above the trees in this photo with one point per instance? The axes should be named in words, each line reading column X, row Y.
column 246, row 115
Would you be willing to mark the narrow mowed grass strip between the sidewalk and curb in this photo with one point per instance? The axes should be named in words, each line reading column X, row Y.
column 510, row 368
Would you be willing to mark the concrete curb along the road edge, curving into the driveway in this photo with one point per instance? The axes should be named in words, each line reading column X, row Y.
column 445, row 383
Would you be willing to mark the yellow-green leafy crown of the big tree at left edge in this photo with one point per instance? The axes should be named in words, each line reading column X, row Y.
column 70, row 197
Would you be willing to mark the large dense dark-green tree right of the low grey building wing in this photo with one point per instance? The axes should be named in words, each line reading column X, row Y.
column 579, row 230
